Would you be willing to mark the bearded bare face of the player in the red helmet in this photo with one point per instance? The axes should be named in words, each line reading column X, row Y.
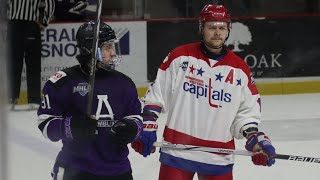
column 215, row 33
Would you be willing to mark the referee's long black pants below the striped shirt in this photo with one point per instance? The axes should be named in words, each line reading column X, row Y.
column 24, row 46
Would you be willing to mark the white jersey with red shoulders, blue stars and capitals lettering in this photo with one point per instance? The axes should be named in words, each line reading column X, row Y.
column 207, row 102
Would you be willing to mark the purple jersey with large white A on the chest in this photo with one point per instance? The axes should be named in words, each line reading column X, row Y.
column 114, row 97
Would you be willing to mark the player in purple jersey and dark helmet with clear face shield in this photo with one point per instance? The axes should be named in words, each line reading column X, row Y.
column 95, row 146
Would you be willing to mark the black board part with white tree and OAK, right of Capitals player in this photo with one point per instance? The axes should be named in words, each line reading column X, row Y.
column 276, row 48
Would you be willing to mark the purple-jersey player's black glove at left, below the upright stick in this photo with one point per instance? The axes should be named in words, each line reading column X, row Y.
column 79, row 127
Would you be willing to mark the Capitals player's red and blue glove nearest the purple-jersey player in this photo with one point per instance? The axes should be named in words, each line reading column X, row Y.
column 144, row 144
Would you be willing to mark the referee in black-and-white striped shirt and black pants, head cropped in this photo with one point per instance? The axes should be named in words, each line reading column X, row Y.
column 26, row 20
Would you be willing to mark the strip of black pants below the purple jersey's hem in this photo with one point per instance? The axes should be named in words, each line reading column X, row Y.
column 72, row 174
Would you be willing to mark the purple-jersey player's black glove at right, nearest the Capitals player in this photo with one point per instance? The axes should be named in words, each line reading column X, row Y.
column 125, row 131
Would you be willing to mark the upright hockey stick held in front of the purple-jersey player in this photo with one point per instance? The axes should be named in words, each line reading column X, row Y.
column 92, row 74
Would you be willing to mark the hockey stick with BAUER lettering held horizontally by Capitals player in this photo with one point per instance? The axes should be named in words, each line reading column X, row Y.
column 232, row 151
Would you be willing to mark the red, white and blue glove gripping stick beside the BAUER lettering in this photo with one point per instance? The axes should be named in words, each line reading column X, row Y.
column 265, row 152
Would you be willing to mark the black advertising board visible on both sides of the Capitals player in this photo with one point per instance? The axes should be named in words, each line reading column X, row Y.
column 273, row 48
